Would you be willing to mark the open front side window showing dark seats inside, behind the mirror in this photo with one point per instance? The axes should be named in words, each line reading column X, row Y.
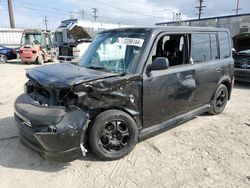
column 172, row 47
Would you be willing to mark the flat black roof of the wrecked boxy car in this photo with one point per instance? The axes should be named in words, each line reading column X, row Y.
column 168, row 29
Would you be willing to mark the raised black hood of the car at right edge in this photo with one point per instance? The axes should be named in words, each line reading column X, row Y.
column 241, row 42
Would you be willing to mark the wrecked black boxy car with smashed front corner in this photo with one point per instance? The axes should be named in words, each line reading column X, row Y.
column 131, row 84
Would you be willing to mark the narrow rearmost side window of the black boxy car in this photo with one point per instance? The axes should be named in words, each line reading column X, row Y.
column 224, row 45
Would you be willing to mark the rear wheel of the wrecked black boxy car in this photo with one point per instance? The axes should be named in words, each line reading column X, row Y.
column 219, row 100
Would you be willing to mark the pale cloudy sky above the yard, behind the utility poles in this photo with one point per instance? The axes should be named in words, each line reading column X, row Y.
column 29, row 14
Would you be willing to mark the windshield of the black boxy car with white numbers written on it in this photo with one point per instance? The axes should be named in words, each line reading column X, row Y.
column 113, row 52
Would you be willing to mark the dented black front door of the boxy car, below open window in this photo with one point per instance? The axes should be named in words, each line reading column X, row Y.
column 167, row 93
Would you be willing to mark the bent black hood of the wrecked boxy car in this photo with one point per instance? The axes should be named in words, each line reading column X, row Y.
column 65, row 75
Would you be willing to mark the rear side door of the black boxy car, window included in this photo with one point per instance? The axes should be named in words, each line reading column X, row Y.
column 205, row 56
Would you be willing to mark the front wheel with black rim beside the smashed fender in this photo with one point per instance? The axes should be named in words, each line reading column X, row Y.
column 113, row 135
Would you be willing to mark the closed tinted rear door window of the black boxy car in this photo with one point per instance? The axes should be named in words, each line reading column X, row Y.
column 201, row 47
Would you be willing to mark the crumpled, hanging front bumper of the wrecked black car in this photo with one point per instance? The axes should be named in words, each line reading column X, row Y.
column 56, row 133
